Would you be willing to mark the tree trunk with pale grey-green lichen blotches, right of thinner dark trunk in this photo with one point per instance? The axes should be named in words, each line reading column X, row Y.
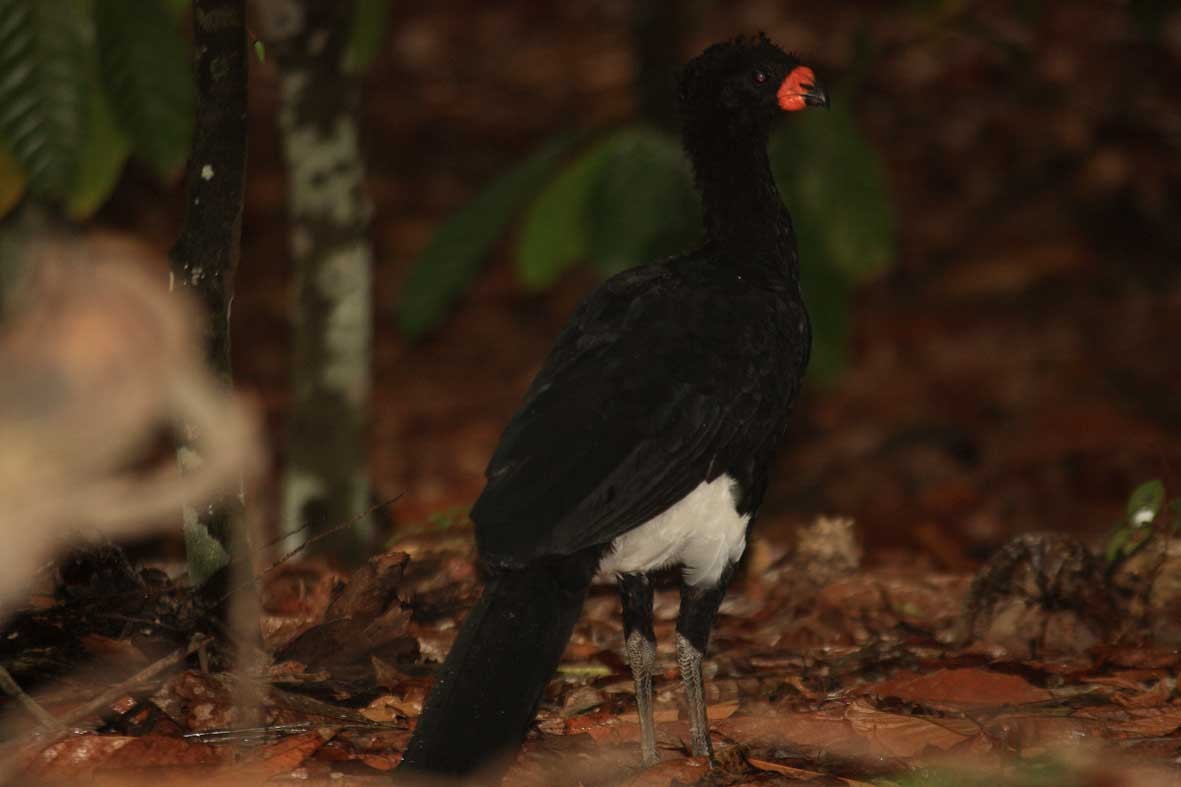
column 327, row 477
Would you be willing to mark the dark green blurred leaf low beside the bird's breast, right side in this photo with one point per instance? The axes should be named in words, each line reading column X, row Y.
column 828, row 296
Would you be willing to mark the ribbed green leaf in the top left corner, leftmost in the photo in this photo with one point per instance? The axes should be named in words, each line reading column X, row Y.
column 43, row 80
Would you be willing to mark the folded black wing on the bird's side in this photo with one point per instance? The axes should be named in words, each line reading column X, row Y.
column 664, row 379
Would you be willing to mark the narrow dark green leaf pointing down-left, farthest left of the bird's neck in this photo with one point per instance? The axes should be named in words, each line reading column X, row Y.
column 453, row 257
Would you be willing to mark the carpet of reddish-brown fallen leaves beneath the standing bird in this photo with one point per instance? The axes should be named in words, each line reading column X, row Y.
column 834, row 675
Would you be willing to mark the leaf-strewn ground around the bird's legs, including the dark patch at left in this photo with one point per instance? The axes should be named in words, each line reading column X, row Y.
column 1041, row 671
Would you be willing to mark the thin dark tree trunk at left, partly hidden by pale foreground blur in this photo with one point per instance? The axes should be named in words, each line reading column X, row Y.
column 207, row 252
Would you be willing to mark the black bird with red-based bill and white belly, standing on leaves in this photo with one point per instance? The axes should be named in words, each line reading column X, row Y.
column 645, row 440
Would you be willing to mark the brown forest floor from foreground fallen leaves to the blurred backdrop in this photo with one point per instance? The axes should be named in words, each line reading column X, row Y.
column 1015, row 373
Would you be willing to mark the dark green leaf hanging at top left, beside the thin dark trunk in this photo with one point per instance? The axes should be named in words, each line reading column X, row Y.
column 147, row 71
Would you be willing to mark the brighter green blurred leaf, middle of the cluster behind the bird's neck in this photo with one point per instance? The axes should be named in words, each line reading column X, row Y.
column 557, row 229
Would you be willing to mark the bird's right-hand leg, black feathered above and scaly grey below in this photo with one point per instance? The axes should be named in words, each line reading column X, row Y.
column 699, row 608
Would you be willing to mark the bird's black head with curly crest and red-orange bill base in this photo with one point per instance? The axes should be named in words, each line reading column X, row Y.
column 745, row 84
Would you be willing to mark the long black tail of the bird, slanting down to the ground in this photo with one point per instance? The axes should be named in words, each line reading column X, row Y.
column 488, row 690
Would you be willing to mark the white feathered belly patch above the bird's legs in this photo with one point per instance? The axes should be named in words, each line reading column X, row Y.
column 703, row 534
